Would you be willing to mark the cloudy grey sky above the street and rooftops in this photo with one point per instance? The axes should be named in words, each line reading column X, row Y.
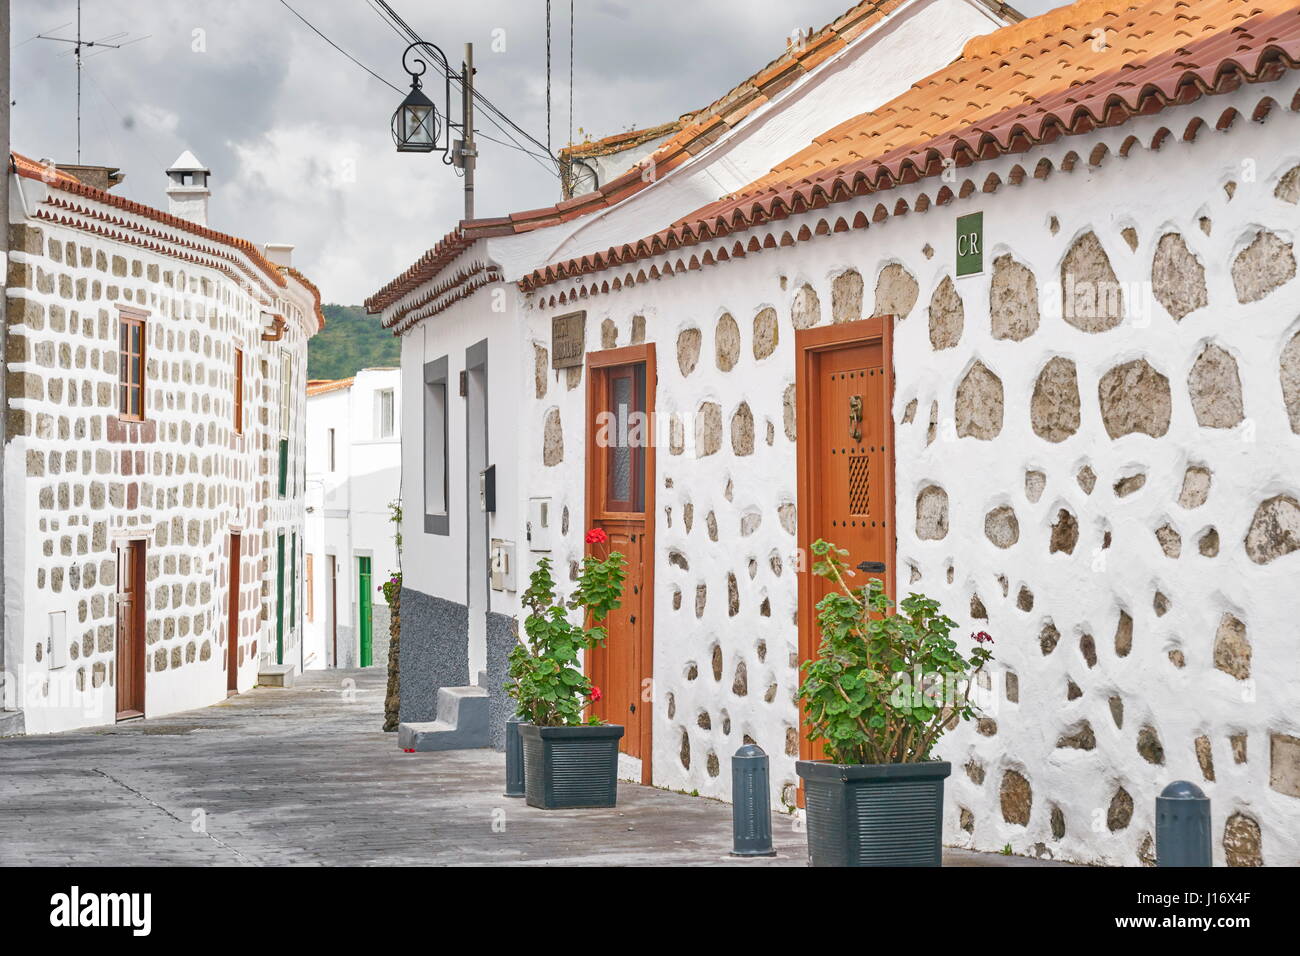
column 298, row 137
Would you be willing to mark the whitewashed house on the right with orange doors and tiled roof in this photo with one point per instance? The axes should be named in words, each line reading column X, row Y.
column 1024, row 331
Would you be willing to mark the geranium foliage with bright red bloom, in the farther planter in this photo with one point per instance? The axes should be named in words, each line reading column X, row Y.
column 545, row 677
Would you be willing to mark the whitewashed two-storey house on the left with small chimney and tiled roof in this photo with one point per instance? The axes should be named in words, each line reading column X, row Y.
column 154, row 466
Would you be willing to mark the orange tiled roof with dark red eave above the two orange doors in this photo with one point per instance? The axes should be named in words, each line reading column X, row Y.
column 1013, row 89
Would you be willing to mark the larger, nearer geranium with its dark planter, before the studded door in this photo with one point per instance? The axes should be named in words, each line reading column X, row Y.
column 881, row 693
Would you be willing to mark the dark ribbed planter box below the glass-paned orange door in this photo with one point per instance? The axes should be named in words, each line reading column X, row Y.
column 571, row 767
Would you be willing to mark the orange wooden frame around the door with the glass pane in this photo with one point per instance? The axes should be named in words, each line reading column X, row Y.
column 593, row 477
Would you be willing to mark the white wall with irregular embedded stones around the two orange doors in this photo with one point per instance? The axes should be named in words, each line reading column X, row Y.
column 1055, row 771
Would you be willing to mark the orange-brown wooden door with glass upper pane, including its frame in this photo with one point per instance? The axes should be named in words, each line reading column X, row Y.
column 621, row 501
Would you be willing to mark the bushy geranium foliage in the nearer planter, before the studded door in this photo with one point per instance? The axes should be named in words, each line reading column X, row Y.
column 885, row 685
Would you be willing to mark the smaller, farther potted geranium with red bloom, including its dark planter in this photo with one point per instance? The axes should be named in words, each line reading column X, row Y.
column 569, row 760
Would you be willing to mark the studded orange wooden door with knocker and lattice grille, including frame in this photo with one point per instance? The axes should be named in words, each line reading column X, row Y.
column 847, row 461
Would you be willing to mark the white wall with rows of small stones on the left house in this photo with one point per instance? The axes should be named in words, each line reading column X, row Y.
column 79, row 483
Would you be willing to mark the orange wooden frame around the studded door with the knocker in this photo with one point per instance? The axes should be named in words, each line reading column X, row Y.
column 809, row 347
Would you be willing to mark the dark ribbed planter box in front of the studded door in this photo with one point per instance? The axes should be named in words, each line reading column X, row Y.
column 874, row 815
